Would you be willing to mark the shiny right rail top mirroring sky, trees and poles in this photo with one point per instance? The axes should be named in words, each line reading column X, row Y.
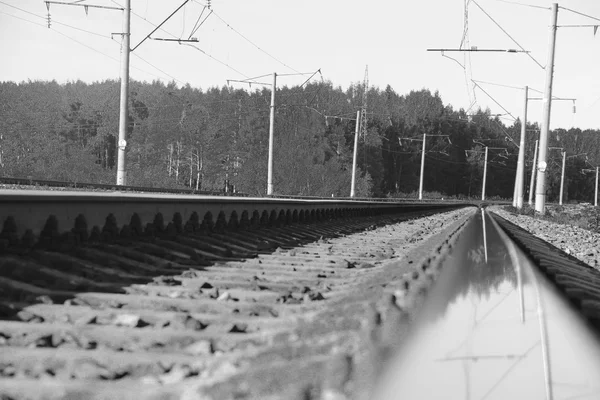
column 494, row 330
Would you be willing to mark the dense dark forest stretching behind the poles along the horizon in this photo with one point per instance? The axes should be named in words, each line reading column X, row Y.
column 216, row 139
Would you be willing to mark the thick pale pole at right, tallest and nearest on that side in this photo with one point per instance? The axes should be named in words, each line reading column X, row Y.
column 540, row 190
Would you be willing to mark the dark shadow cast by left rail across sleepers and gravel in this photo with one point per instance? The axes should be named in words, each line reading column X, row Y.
column 95, row 271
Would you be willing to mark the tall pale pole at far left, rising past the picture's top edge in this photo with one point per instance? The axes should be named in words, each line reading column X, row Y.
column 123, row 109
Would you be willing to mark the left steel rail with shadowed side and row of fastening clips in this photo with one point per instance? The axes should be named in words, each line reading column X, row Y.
column 35, row 215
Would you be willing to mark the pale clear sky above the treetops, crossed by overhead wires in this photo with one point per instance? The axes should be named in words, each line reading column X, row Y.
column 242, row 39
